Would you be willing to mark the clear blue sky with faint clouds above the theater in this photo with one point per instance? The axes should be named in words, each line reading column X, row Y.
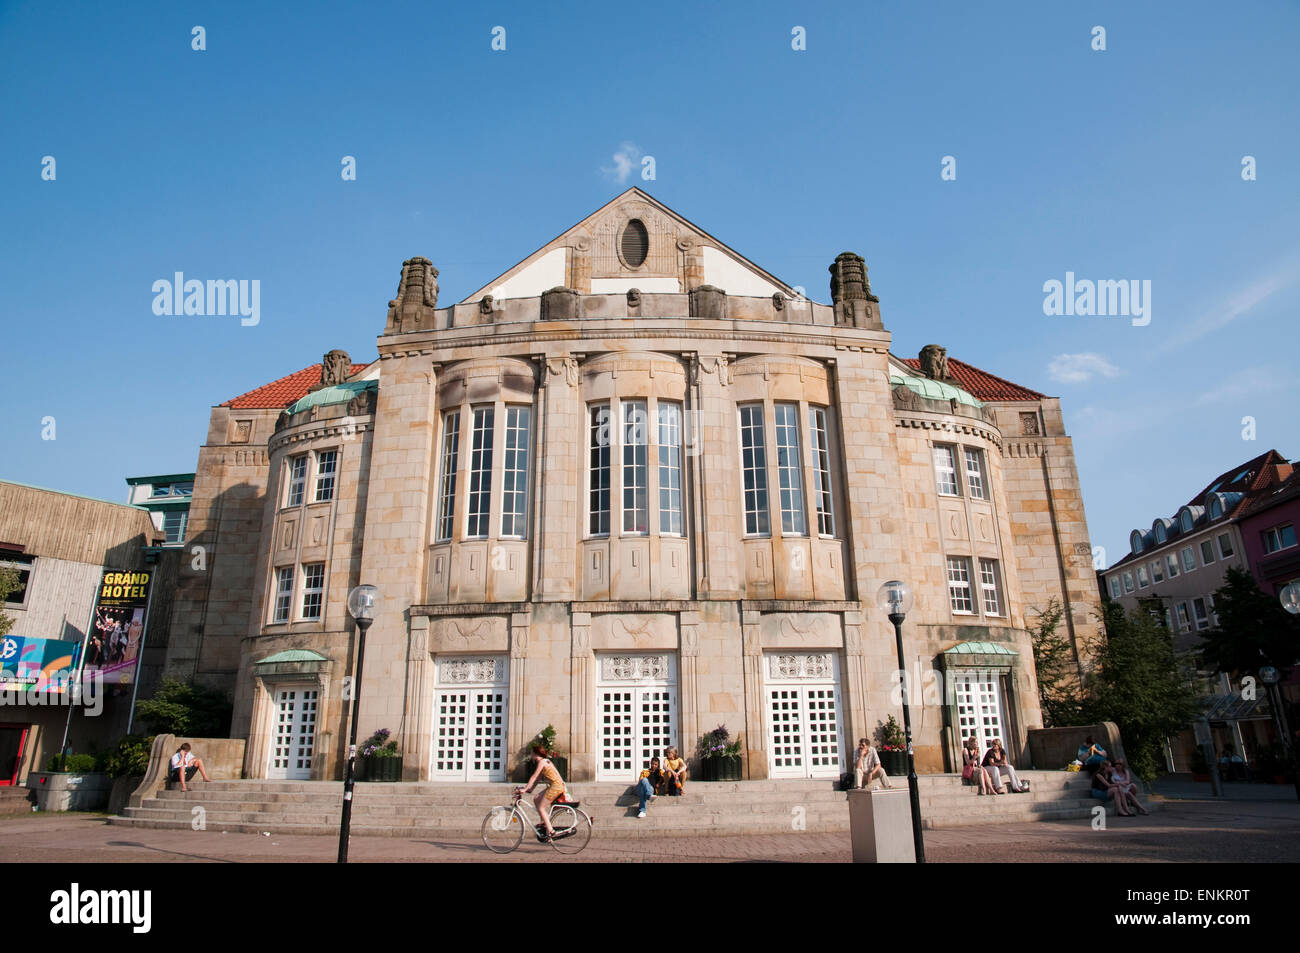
column 226, row 164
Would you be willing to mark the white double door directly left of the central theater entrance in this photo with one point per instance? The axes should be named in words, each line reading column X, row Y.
column 470, row 709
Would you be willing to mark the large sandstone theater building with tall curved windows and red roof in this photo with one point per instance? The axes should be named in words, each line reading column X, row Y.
column 634, row 488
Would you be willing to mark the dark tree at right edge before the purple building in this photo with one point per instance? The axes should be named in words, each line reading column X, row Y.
column 1254, row 630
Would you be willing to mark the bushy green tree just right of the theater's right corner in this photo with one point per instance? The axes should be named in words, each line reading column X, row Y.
column 1141, row 685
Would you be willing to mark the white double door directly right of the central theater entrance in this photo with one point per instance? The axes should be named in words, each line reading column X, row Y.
column 804, row 721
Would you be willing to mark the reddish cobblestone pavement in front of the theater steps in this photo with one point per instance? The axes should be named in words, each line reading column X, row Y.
column 1238, row 831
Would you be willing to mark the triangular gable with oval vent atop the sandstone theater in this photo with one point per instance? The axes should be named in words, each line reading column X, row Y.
column 588, row 258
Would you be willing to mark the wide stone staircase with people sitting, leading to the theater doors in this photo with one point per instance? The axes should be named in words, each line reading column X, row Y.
column 717, row 808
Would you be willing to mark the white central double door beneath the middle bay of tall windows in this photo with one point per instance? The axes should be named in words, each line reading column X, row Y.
column 638, row 703
